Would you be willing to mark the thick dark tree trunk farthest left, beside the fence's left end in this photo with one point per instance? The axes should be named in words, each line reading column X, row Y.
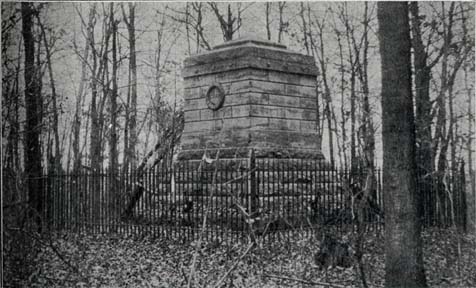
column 33, row 169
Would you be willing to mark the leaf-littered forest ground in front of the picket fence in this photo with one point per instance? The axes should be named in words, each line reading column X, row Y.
column 107, row 261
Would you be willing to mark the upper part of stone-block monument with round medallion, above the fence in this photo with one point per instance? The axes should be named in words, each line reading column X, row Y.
column 250, row 93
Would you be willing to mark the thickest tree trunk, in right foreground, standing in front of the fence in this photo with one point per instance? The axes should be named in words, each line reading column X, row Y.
column 403, row 244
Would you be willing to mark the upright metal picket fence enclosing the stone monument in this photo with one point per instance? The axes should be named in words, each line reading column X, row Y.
column 237, row 197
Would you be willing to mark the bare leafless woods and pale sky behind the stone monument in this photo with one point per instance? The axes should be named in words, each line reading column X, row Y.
column 96, row 85
